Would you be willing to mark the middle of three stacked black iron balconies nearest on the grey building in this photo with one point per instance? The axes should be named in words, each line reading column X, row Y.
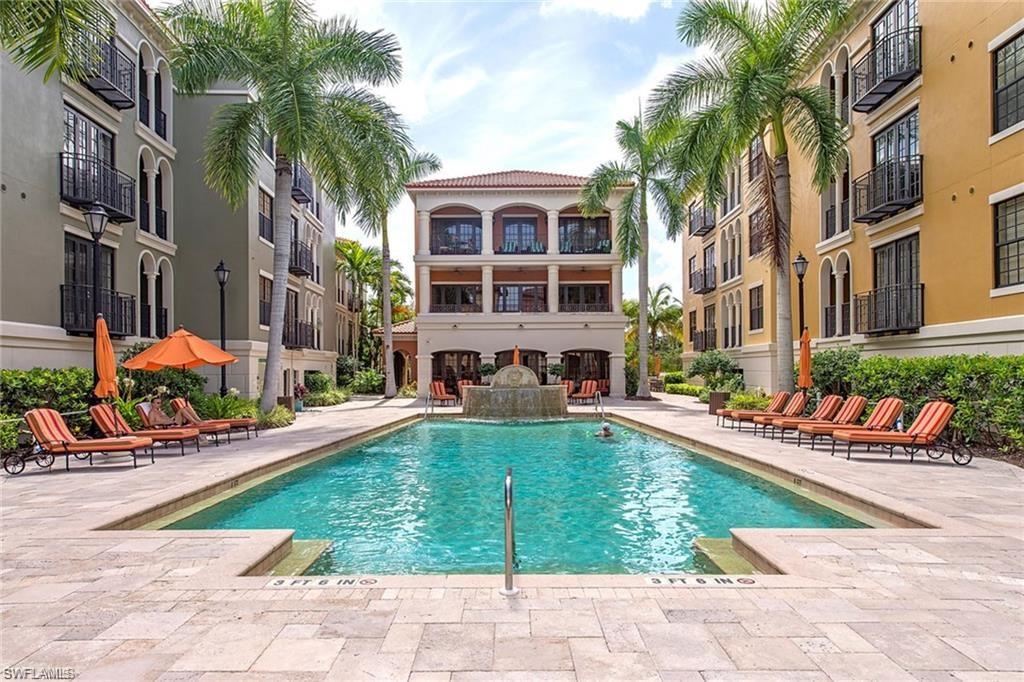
column 86, row 181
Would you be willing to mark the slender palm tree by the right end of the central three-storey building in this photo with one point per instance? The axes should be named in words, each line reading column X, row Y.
column 641, row 174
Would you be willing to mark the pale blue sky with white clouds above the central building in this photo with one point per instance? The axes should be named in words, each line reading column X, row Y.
column 493, row 87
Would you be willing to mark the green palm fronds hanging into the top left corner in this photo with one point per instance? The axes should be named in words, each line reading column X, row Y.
column 64, row 36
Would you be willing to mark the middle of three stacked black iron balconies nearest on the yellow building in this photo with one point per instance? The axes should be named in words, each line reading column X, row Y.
column 888, row 189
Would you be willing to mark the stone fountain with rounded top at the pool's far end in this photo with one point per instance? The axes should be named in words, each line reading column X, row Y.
column 516, row 393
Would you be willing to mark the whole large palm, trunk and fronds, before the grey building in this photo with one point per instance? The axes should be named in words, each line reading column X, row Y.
column 303, row 75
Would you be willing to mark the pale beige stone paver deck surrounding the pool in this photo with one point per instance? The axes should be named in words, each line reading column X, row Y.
column 945, row 601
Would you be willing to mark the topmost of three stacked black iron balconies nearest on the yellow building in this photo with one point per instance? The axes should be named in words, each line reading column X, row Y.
column 893, row 63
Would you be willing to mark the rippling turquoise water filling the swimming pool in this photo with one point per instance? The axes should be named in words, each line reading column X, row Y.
column 429, row 499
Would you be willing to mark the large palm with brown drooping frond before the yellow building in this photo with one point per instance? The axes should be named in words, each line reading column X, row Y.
column 751, row 90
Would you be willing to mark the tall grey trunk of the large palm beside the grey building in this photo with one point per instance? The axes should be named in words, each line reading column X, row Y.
column 282, row 252
